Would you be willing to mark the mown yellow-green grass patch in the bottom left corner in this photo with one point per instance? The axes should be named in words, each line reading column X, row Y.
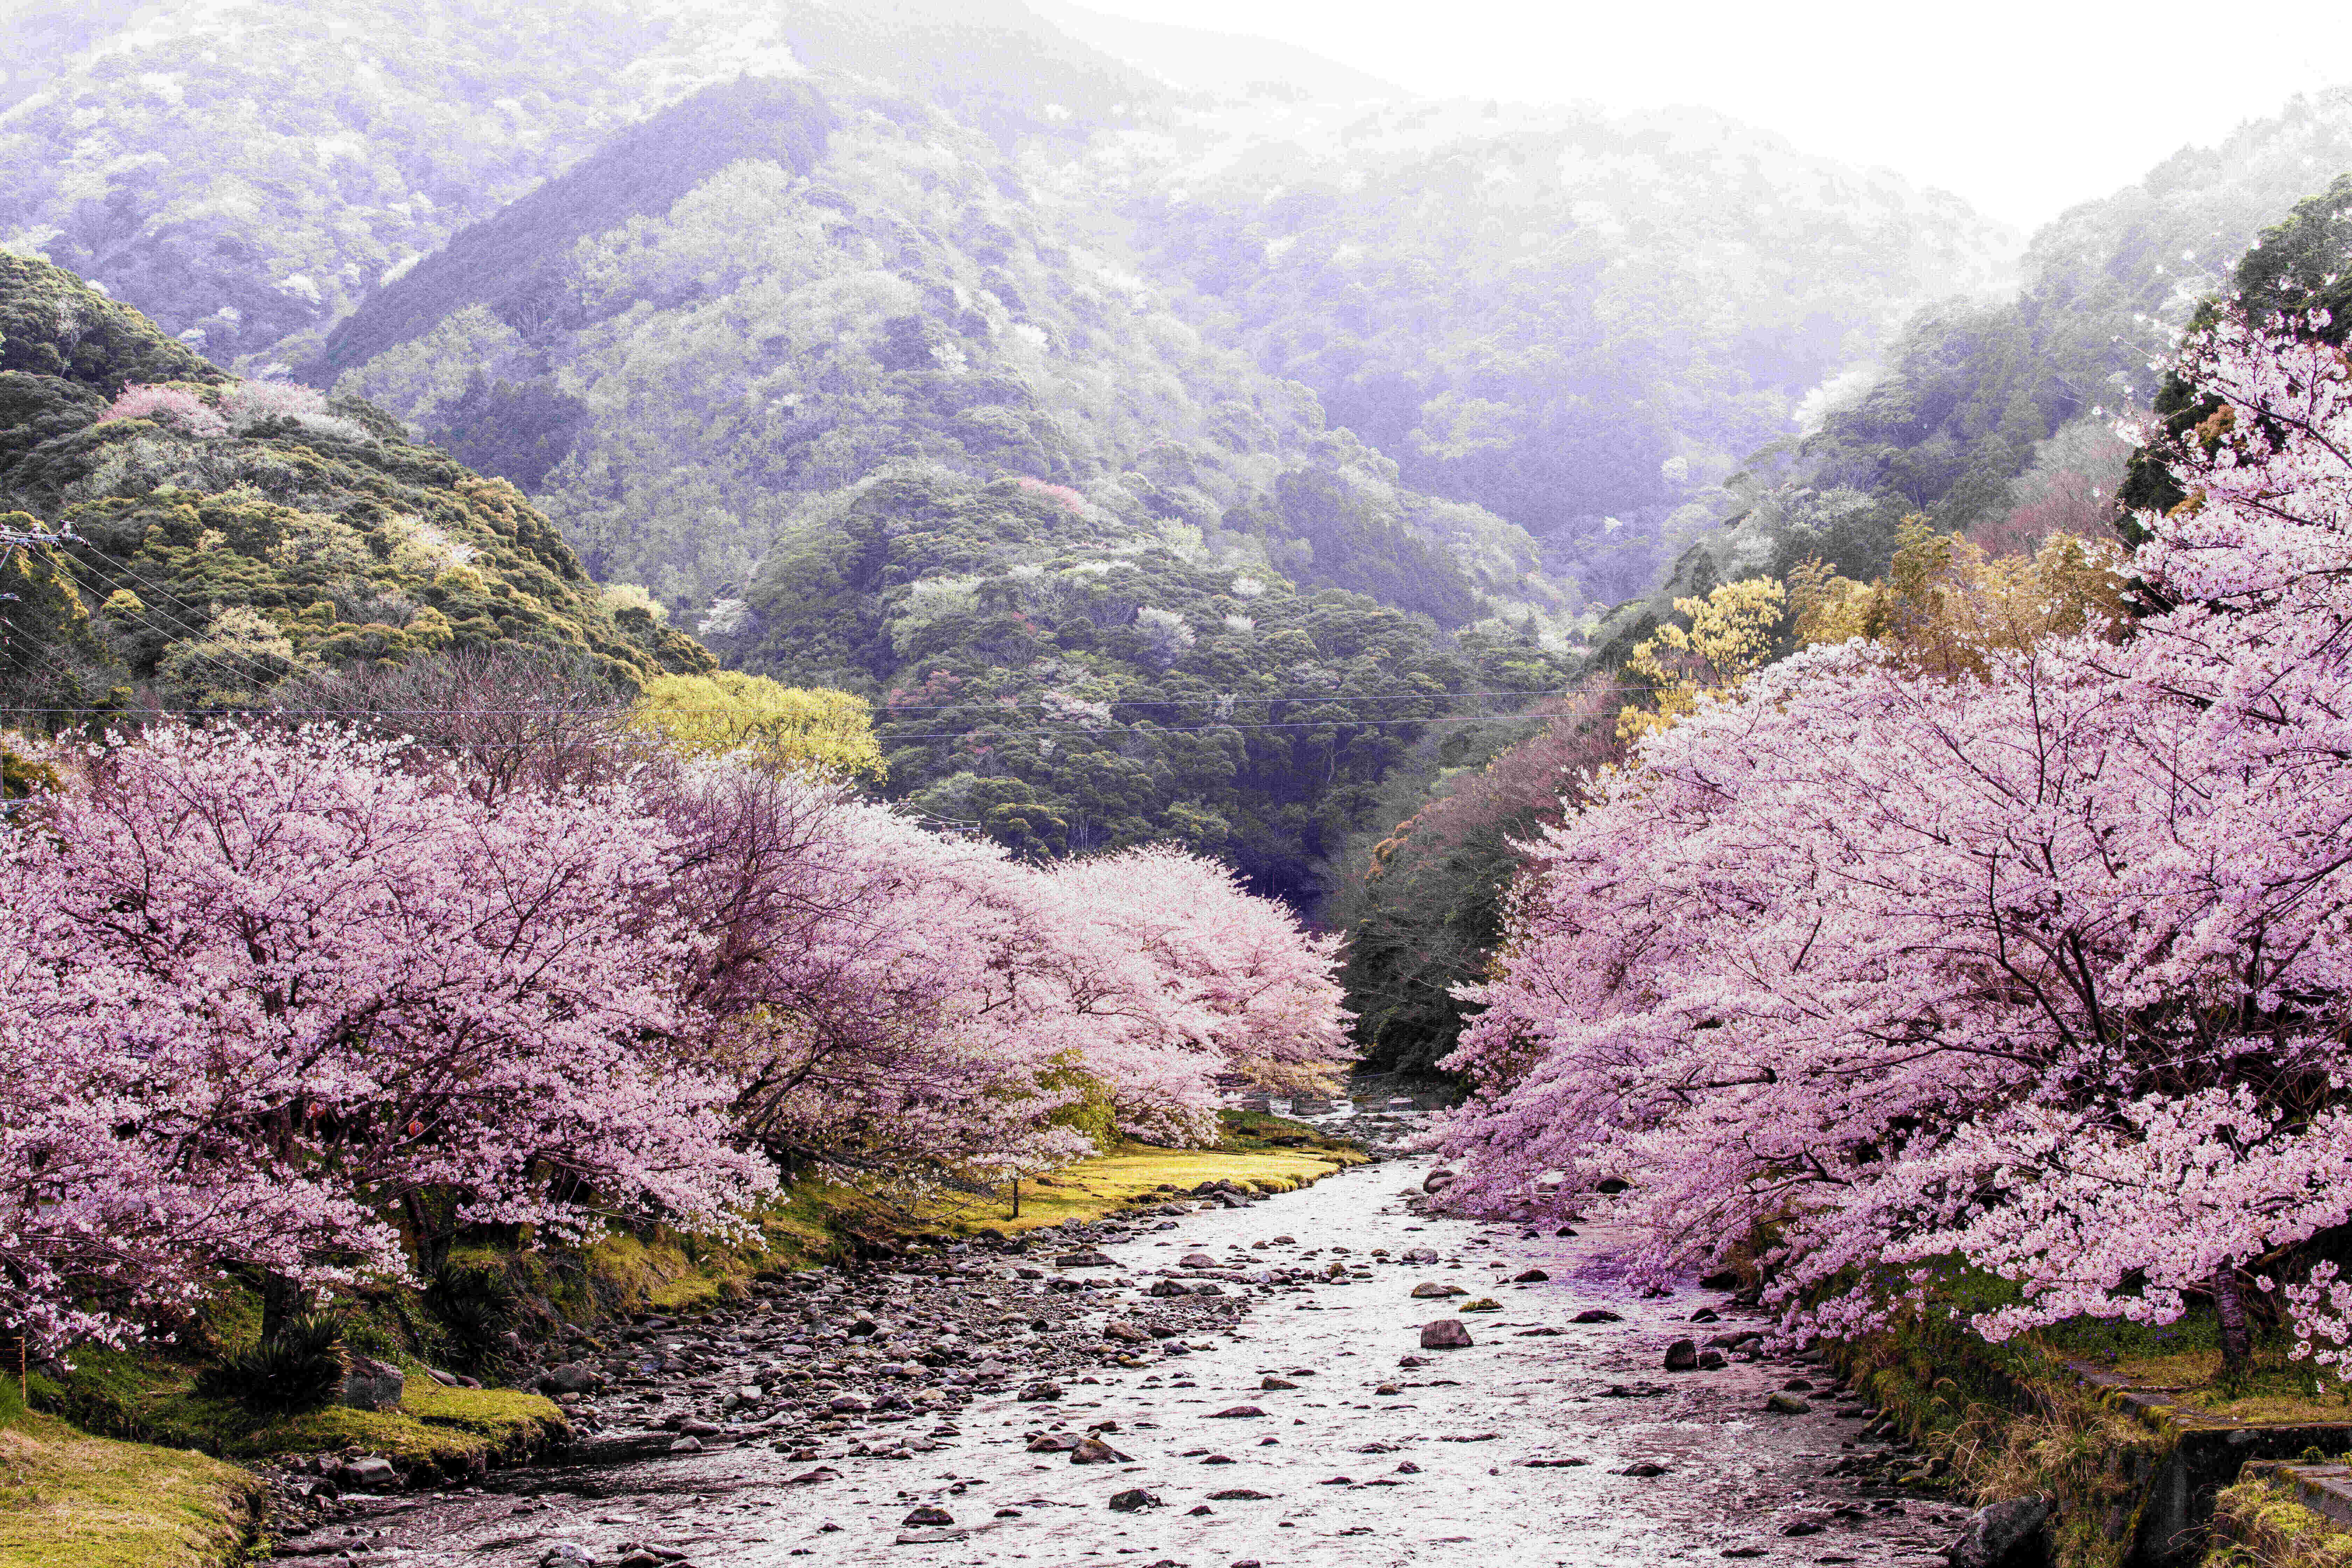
column 76, row 1501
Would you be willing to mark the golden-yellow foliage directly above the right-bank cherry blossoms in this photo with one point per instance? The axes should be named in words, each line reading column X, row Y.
column 1944, row 603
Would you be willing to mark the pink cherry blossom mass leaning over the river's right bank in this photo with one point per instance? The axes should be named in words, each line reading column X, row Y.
column 2038, row 965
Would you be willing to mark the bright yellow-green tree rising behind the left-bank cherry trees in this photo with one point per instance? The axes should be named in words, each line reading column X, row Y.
column 780, row 725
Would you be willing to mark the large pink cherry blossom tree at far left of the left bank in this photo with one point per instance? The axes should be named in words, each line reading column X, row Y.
column 288, row 967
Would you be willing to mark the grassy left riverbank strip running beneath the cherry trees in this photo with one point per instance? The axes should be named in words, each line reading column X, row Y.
column 119, row 1412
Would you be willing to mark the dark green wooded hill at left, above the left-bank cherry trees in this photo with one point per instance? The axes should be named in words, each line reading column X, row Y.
column 227, row 535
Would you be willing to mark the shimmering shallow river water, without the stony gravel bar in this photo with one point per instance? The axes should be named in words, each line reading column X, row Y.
column 1544, row 1442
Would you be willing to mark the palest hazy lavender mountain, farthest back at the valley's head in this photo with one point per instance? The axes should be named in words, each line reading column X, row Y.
column 1577, row 321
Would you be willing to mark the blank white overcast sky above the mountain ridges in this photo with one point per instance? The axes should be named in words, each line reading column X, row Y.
column 2024, row 107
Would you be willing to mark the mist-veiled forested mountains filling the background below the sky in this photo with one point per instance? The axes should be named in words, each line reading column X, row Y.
column 1071, row 361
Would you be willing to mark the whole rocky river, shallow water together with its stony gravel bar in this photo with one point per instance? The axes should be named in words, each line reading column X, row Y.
column 1210, row 1383
